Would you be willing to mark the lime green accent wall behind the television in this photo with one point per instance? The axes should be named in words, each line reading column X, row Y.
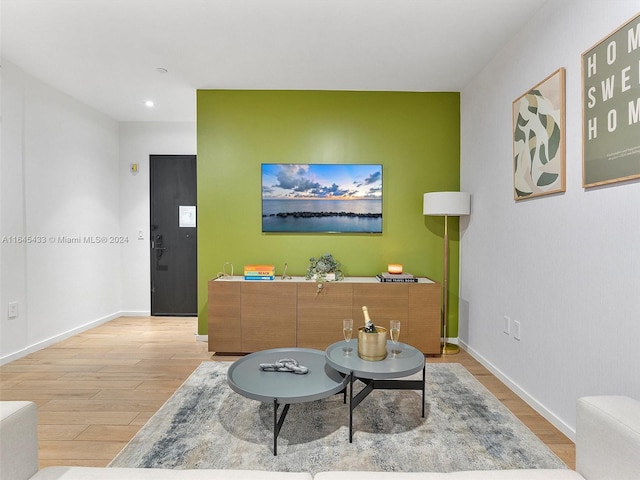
column 415, row 136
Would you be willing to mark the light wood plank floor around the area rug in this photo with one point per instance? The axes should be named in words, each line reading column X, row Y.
column 96, row 389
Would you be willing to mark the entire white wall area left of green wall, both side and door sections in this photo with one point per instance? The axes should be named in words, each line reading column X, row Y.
column 65, row 173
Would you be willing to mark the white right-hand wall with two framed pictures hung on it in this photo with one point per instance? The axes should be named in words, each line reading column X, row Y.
column 566, row 266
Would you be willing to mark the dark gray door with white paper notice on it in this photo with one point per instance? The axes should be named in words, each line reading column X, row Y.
column 173, row 235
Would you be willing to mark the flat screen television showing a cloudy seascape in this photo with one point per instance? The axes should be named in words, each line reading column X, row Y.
column 322, row 198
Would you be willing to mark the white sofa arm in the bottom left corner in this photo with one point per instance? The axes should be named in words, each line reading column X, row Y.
column 18, row 440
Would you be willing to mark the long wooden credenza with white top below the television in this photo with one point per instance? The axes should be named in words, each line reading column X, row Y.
column 247, row 316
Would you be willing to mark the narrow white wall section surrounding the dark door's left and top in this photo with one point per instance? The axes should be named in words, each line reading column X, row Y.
column 138, row 140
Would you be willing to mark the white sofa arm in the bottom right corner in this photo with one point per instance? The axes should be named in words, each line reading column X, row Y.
column 608, row 438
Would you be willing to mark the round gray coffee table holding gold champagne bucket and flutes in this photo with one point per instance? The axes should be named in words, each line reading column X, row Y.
column 377, row 374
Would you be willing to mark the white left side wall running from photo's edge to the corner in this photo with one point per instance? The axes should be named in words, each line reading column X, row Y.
column 59, row 179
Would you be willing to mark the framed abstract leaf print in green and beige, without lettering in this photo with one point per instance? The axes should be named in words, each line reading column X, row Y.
column 538, row 139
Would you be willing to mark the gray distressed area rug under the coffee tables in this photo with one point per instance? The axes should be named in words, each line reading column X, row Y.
column 207, row 425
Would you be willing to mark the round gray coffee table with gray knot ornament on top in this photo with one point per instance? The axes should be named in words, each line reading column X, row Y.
column 284, row 388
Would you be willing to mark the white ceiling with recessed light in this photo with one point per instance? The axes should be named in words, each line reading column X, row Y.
column 107, row 53
